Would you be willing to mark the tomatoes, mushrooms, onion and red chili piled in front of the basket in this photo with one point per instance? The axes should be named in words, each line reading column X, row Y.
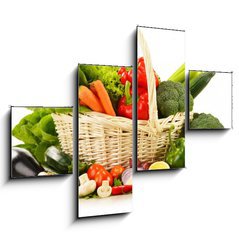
column 96, row 182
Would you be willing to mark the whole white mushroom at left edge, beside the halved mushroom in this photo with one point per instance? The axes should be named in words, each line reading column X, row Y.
column 86, row 186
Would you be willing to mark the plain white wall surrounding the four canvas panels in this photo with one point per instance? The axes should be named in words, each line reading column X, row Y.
column 40, row 45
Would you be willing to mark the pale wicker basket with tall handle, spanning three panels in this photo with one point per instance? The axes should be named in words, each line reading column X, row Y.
column 108, row 140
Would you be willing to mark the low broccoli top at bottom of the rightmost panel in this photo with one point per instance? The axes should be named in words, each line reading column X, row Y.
column 205, row 121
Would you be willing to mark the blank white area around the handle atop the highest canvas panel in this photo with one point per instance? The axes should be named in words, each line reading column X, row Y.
column 167, row 50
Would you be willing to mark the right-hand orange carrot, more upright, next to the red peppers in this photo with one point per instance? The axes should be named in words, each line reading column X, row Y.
column 99, row 88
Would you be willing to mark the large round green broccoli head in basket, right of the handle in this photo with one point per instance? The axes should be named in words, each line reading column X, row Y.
column 171, row 98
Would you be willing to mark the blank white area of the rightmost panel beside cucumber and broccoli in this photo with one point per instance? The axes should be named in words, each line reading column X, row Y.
column 216, row 99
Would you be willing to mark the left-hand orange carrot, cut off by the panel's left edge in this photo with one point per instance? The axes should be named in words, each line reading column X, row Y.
column 89, row 98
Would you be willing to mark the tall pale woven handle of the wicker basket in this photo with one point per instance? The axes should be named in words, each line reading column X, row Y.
column 153, row 111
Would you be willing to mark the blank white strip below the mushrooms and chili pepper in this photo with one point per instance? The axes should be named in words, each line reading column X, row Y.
column 103, row 206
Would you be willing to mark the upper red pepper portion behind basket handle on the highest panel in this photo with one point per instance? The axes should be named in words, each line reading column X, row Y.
column 141, row 74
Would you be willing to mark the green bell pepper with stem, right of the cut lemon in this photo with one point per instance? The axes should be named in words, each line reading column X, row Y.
column 175, row 156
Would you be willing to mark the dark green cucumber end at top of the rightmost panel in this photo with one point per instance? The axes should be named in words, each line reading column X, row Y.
column 198, row 83
